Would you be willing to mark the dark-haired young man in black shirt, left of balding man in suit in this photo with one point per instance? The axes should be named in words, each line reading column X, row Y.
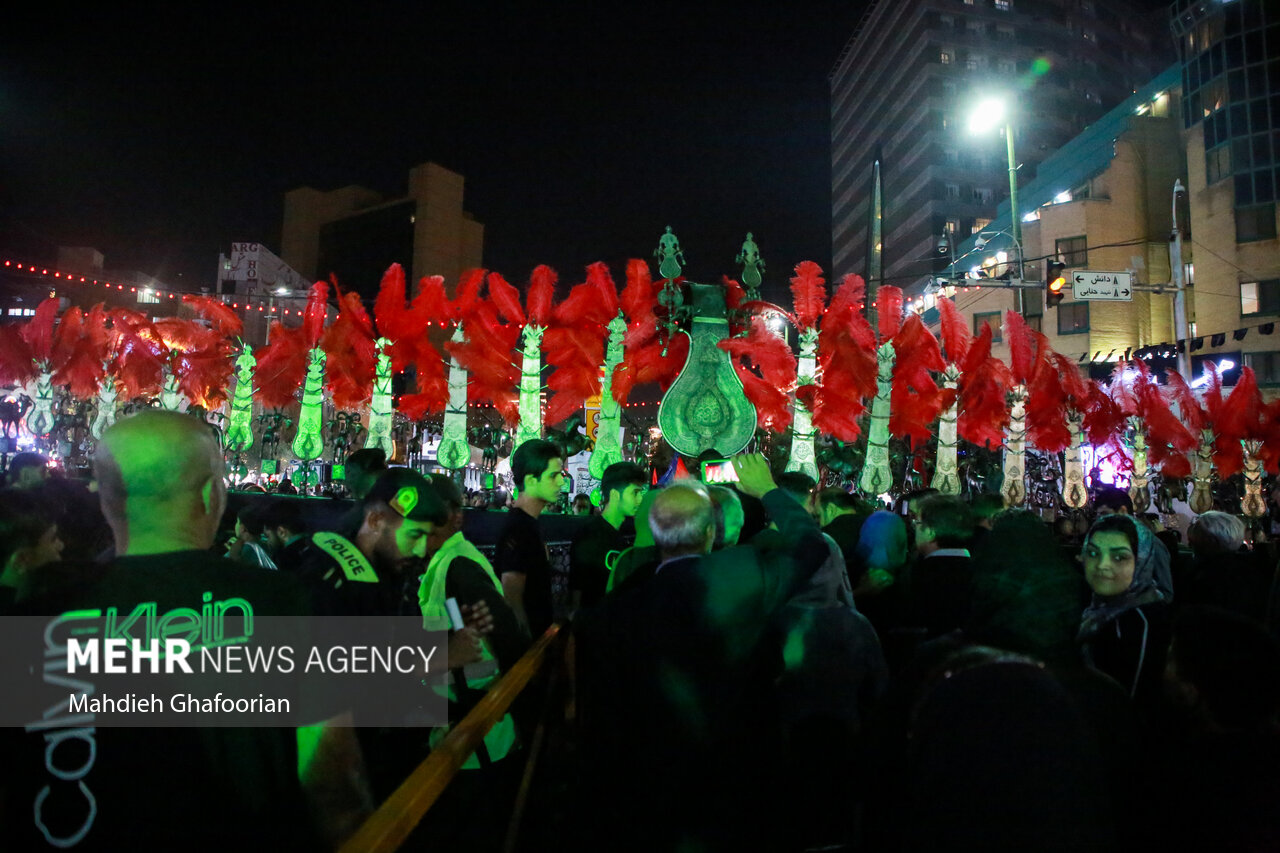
column 623, row 487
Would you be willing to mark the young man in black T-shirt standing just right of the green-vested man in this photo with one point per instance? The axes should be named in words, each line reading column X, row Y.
column 522, row 559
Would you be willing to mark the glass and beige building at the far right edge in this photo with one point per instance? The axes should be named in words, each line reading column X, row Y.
column 1231, row 67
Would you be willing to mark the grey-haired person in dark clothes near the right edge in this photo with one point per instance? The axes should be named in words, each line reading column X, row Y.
column 1227, row 573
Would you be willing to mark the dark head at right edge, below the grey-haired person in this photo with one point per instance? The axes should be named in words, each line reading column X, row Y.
column 1226, row 667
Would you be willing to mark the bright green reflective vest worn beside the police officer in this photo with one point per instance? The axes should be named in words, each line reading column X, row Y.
column 479, row 676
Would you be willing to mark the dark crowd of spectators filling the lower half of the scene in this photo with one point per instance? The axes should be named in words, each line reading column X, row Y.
column 766, row 665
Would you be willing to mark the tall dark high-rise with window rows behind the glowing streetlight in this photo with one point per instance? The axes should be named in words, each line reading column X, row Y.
column 911, row 76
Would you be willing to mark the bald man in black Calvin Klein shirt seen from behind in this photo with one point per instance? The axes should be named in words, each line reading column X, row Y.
column 161, row 481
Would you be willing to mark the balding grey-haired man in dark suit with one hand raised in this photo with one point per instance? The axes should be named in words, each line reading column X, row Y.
column 676, row 677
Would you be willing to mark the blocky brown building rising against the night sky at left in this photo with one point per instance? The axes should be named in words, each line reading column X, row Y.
column 356, row 234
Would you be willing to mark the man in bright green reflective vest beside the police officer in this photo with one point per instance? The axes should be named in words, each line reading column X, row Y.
column 474, row 810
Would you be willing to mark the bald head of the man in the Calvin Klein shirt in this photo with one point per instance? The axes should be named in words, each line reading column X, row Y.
column 161, row 482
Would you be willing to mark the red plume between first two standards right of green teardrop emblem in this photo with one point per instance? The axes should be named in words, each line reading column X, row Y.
column 847, row 364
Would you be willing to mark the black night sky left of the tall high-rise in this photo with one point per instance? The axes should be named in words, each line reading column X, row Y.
column 163, row 139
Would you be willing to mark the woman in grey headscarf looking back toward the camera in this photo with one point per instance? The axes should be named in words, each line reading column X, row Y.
column 1126, row 630
